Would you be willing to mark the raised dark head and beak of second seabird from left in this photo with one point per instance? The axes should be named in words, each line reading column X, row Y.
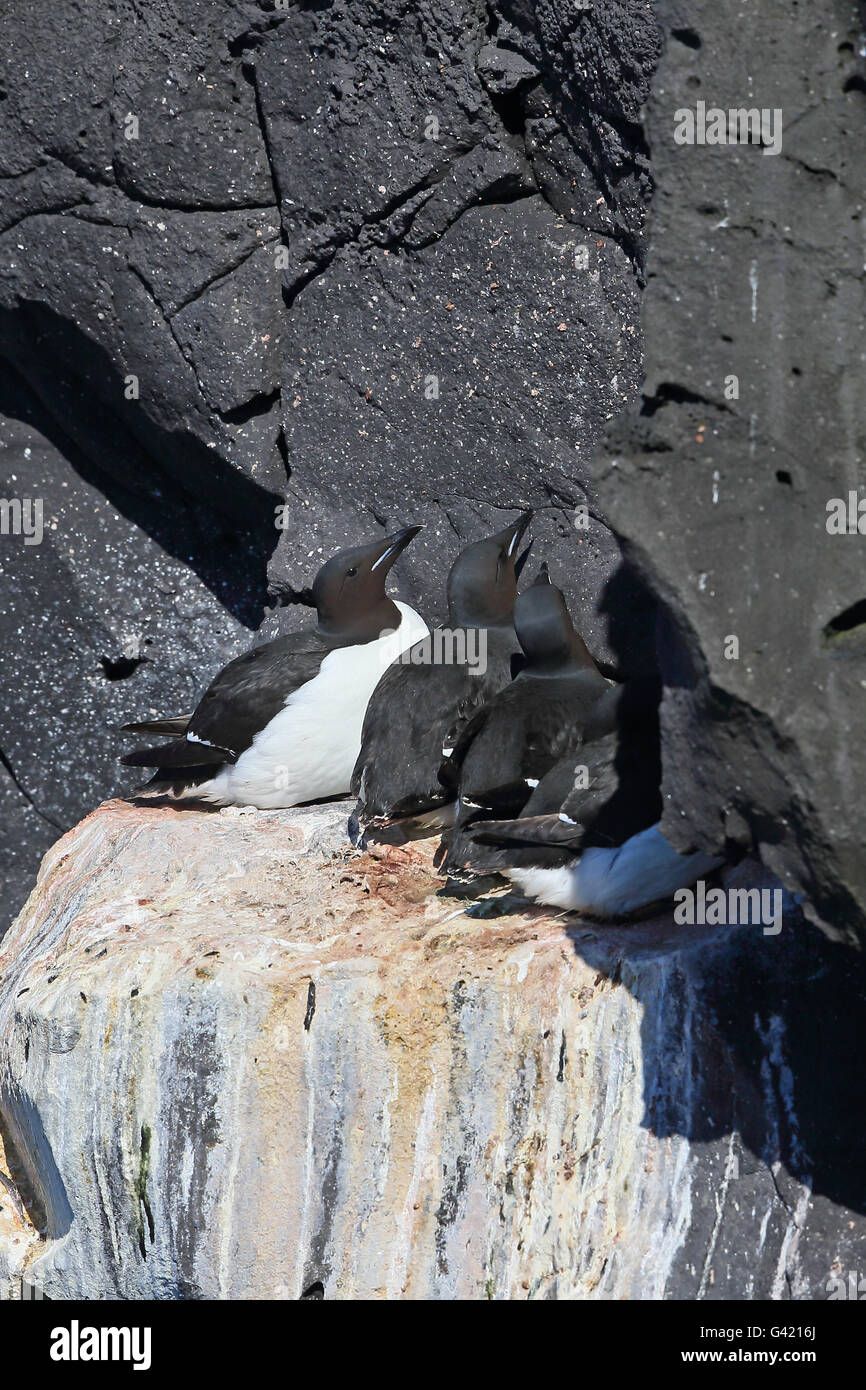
column 483, row 580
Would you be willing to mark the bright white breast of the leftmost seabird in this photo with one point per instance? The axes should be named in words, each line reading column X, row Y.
column 311, row 747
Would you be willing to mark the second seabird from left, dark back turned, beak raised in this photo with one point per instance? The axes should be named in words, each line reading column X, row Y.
column 426, row 698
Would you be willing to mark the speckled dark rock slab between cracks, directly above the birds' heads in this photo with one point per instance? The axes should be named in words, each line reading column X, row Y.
column 459, row 400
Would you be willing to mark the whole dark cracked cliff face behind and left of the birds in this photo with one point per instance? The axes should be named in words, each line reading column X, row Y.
column 379, row 262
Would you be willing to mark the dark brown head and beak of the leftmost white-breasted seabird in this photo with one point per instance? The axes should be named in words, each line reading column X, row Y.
column 350, row 590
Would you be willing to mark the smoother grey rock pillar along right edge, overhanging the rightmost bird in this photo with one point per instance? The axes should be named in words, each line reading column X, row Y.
column 757, row 273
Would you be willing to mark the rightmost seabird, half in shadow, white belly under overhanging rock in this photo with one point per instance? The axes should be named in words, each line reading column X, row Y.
column 600, row 849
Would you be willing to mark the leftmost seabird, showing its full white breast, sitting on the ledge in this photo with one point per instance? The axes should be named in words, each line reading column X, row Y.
column 283, row 723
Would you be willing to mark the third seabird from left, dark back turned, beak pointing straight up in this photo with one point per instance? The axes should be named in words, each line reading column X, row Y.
column 519, row 737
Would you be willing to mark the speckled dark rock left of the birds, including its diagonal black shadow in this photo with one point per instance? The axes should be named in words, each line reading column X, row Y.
column 127, row 605
